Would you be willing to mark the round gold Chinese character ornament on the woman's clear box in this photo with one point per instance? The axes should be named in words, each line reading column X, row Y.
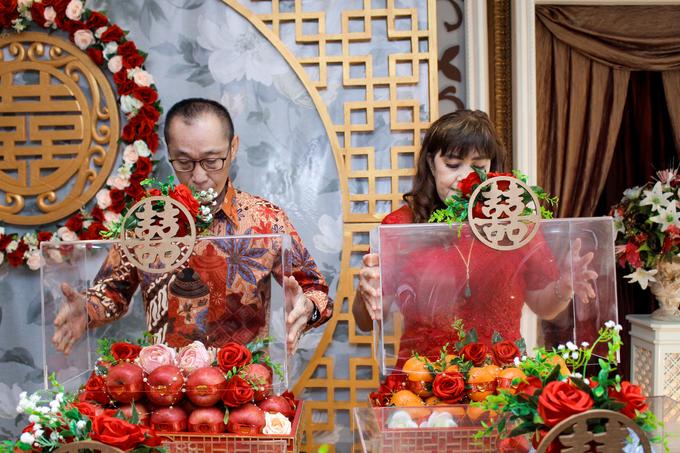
column 505, row 224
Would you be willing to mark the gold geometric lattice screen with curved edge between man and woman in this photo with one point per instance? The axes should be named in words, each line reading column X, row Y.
column 408, row 116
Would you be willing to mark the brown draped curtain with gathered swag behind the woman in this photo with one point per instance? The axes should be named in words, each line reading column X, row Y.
column 584, row 55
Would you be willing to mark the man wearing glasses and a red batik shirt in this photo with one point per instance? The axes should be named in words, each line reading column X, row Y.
column 201, row 146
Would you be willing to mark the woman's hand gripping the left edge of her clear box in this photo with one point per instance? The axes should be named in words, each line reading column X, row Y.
column 367, row 303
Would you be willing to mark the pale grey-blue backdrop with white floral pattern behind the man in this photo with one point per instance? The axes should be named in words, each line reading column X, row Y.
column 203, row 48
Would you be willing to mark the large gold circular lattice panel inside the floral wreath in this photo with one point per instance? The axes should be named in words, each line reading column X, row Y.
column 50, row 130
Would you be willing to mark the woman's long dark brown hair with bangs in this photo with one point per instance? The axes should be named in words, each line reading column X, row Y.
column 458, row 134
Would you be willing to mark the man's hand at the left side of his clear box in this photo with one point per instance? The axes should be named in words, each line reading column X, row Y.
column 71, row 321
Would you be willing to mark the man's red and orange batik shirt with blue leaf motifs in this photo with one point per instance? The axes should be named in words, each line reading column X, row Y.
column 237, row 273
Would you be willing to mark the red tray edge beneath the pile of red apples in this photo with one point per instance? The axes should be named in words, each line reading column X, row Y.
column 228, row 442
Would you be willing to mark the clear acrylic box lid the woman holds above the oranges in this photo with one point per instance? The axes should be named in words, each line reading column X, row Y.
column 433, row 274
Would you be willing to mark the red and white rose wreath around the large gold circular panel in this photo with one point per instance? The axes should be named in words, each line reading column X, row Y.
column 107, row 45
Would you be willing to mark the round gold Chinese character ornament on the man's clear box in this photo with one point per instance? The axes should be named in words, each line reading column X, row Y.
column 148, row 235
